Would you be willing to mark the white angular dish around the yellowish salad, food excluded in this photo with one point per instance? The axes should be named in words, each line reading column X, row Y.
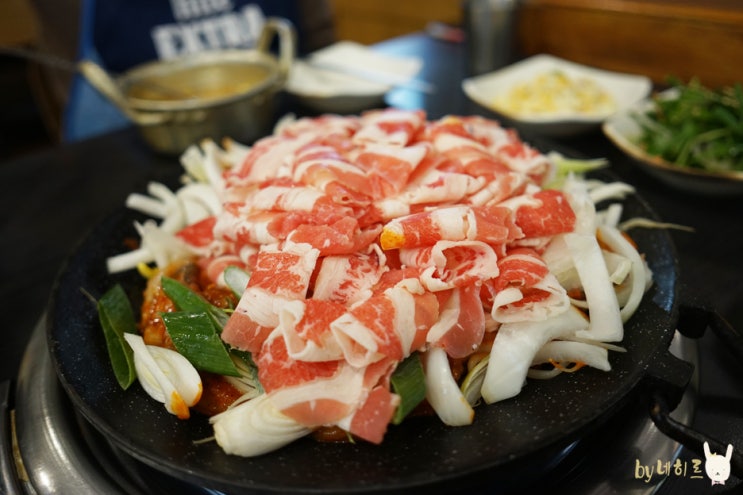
column 624, row 89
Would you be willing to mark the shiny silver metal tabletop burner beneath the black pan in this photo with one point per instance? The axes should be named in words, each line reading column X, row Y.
column 62, row 453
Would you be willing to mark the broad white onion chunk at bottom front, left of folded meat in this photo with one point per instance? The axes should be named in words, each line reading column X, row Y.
column 255, row 427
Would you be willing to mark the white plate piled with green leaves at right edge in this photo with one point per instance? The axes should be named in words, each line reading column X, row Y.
column 689, row 137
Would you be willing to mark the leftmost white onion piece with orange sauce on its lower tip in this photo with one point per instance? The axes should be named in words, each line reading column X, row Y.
column 166, row 376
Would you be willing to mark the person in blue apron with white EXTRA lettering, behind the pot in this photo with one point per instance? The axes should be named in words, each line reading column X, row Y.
column 119, row 34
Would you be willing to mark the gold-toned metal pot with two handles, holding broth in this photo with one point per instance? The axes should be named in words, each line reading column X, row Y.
column 213, row 94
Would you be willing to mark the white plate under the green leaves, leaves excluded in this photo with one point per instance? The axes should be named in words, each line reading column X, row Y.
column 624, row 131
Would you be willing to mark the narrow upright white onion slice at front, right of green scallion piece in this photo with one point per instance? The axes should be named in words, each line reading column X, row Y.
column 442, row 390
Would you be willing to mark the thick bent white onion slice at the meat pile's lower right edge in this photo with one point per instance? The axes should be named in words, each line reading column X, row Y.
column 514, row 348
